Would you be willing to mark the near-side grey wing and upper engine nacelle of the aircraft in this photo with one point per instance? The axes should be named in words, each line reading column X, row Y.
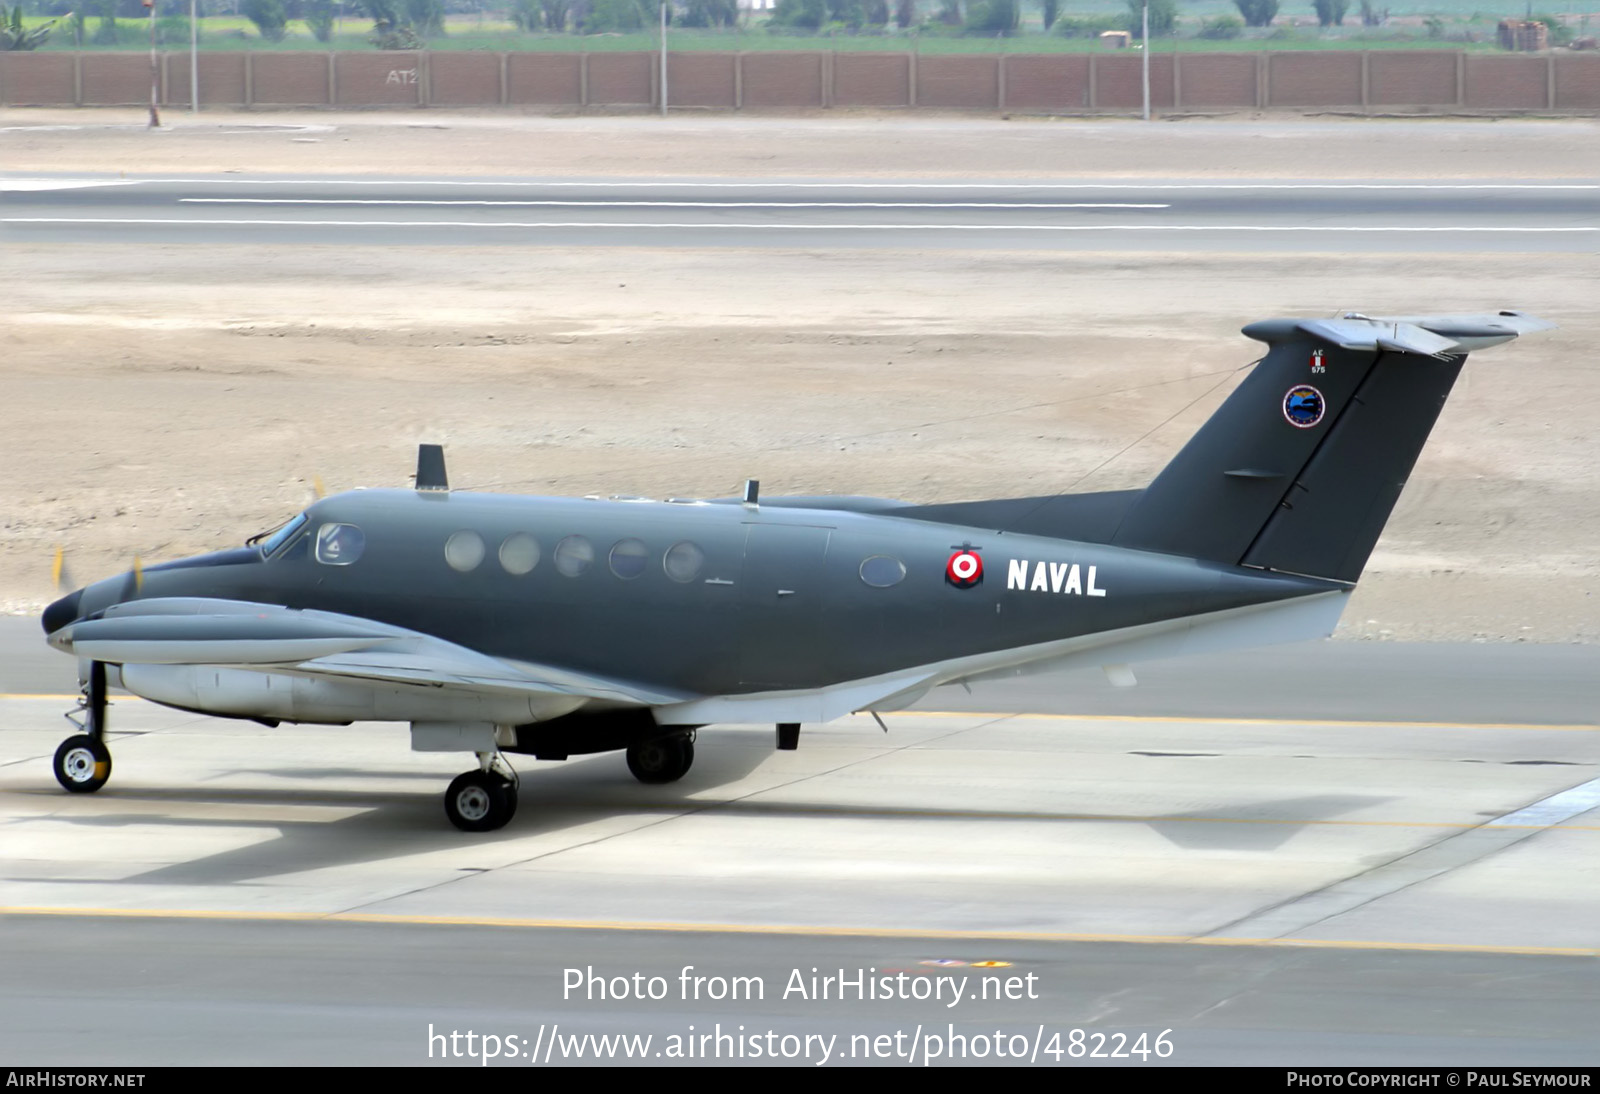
column 191, row 631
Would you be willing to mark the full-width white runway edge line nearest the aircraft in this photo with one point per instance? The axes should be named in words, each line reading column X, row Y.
column 783, row 228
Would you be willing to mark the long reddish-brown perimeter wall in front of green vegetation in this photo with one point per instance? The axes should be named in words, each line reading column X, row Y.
column 1382, row 81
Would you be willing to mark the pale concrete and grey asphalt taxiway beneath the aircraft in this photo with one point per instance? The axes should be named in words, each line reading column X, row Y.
column 1260, row 888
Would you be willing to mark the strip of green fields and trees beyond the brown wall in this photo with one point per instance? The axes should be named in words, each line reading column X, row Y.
column 922, row 26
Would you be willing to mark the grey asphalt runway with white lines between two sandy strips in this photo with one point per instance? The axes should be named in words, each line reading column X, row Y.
column 1154, row 215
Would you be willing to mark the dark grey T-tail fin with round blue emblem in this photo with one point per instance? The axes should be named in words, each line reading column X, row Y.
column 1302, row 466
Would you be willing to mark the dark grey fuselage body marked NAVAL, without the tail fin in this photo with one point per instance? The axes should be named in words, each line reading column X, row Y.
column 780, row 601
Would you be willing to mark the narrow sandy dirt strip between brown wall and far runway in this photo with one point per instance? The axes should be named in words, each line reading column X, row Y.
column 839, row 145
